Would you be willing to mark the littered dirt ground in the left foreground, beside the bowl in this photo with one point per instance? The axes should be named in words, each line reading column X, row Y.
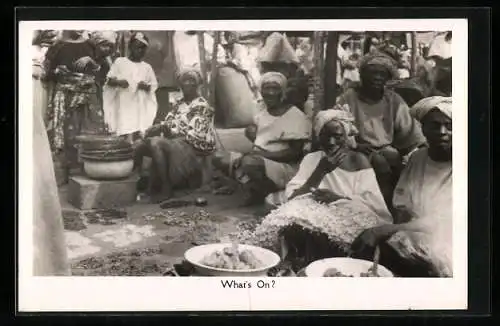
column 152, row 236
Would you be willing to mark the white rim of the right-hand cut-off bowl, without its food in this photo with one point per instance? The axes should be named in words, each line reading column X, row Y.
column 348, row 266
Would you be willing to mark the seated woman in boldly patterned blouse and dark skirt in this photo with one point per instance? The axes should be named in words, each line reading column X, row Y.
column 187, row 138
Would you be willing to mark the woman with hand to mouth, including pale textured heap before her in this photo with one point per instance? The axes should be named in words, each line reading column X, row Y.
column 334, row 194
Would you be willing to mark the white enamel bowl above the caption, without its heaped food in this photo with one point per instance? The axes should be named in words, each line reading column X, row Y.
column 196, row 254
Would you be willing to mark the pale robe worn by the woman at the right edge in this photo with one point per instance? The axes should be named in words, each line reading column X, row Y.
column 425, row 189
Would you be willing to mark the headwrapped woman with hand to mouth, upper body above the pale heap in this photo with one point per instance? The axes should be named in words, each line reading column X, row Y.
column 337, row 170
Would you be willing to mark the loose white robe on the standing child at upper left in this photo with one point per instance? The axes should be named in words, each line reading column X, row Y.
column 128, row 110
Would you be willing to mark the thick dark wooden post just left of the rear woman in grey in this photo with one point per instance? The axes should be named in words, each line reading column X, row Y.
column 331, row 69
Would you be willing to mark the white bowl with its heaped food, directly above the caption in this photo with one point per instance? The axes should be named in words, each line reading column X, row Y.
column 227, row 259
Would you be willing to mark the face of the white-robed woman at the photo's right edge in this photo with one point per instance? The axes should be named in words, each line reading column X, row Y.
column 436, row 127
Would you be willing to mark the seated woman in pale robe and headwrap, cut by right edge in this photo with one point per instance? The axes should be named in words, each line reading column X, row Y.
column 419, row 244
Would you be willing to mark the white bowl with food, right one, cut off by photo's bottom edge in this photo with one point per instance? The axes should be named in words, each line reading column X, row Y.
column 345, row 267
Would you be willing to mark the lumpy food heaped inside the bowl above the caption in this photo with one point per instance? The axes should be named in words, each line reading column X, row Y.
column 232, row 258
